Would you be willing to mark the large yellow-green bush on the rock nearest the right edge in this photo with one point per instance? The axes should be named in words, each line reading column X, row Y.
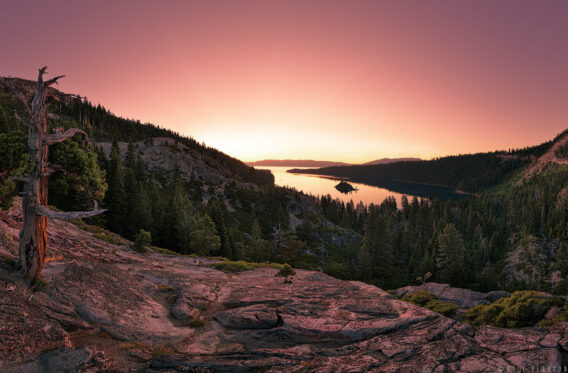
column 522, row 308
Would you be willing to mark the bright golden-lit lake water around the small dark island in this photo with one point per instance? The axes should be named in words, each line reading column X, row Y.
column 317, row 186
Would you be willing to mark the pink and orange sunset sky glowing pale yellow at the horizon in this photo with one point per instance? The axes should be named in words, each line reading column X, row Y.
column 333, row 80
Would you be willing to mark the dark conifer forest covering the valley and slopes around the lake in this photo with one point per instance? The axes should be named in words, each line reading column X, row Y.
column 510, row 232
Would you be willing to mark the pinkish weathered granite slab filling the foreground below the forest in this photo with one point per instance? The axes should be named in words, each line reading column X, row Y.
column 107, row 308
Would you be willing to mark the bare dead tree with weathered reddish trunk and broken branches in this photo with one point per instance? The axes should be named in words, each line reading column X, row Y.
column 33, row 235
